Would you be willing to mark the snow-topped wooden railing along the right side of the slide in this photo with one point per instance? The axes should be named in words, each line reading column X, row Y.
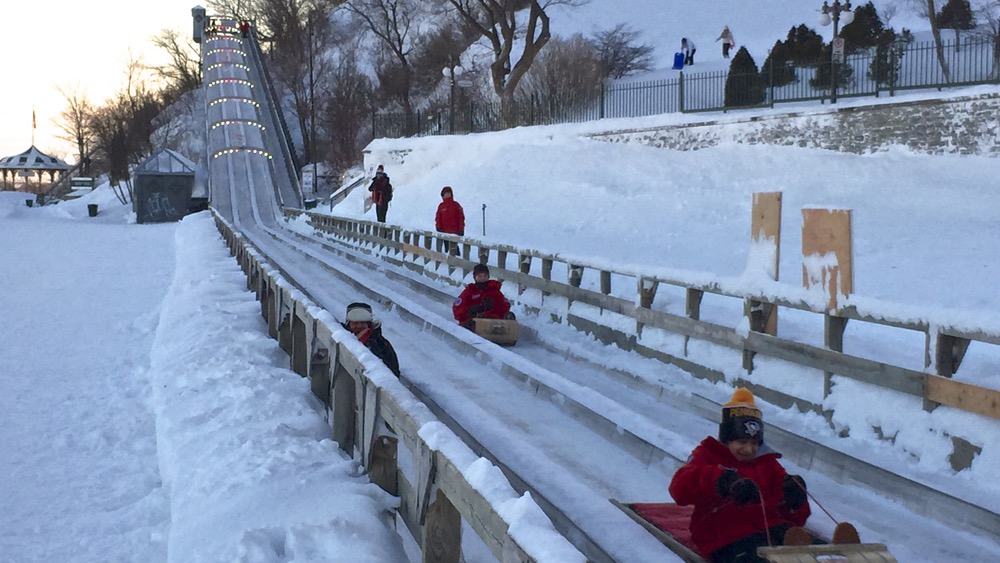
column 575, row 280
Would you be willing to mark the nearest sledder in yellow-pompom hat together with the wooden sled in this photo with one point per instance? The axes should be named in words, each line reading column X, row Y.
column 736, row 503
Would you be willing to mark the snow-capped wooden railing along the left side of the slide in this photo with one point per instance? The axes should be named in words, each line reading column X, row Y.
column 362, row 399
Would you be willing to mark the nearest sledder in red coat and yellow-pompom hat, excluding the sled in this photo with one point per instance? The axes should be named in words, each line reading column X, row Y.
column 743, row 498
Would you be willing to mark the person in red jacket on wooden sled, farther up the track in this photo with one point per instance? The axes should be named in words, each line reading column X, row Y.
column 483, row 309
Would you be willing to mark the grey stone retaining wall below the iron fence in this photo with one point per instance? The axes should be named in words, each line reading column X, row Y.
column 960, row 125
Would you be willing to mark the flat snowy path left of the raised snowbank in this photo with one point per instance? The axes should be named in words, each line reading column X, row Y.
column 79, row 473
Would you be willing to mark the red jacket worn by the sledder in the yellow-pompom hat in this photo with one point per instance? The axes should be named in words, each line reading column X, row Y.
column 719, row 521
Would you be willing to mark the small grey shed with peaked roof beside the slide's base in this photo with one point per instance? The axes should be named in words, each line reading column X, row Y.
column 163, row 186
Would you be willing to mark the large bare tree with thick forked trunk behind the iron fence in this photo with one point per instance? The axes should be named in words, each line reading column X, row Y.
column 497, row 21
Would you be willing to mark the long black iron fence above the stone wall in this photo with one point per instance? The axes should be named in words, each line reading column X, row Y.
column 870, row 72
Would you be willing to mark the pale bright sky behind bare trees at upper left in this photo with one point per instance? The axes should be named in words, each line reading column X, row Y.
column 65, row 43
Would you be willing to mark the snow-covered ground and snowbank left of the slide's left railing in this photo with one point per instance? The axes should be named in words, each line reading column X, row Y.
column 147, row 415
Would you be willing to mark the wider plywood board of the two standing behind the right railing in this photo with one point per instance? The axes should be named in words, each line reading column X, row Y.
column 826, row 233
